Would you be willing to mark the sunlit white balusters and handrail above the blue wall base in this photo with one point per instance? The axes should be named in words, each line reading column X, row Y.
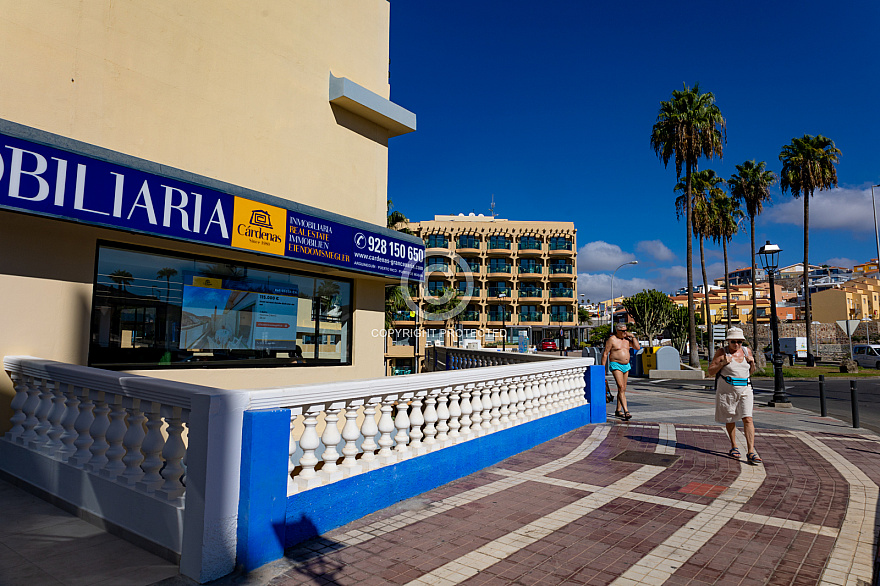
column 391, row 420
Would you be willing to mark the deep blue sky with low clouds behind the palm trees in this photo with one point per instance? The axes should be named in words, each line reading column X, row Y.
column 549, row 106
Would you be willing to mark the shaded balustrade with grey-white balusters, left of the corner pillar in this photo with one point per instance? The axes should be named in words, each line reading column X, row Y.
column 104, row 429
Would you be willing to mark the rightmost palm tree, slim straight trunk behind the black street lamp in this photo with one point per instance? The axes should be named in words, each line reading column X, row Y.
column 808, row 165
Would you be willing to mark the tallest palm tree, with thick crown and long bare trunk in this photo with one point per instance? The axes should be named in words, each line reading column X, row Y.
column 688, row 127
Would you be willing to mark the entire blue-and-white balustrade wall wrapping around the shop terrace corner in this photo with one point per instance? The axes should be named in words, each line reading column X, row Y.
column 225, row 478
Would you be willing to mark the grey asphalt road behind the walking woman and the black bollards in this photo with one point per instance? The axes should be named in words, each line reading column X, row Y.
column 804, row 394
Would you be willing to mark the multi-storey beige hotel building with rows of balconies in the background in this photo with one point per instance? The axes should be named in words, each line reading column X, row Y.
column 510, row 277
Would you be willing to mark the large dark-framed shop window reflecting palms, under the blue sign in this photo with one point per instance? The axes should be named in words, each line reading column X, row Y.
column 158, row 310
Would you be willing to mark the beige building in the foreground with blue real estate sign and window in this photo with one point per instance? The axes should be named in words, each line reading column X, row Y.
column 197, row 191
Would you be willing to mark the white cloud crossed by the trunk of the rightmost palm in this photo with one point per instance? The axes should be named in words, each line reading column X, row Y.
column 836, row 209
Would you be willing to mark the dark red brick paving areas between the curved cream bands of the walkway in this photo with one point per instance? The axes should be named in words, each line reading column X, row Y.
column 596, row 548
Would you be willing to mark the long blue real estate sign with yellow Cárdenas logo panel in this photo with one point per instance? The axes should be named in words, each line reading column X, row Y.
column 40, row 179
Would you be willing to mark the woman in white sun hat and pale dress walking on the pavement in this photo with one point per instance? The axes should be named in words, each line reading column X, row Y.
column 732, row 366
